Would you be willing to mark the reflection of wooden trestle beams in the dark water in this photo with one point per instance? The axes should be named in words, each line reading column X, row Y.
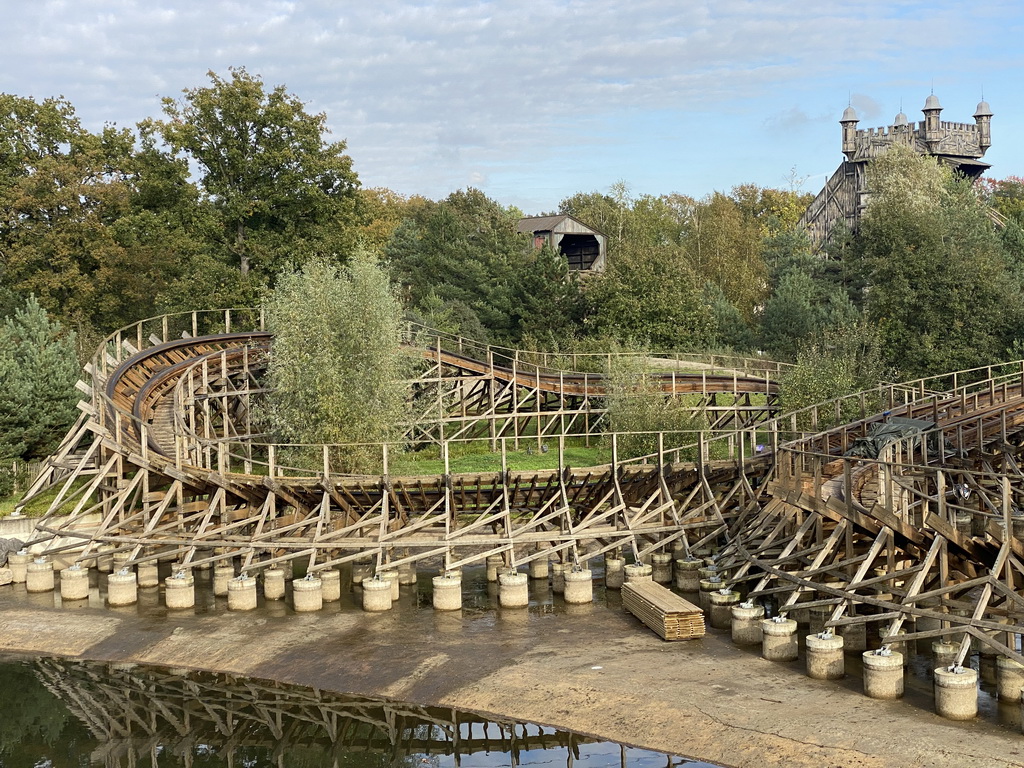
column 138, row 713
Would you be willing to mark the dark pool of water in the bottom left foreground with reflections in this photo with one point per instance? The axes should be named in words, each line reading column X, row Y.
column 127, row 716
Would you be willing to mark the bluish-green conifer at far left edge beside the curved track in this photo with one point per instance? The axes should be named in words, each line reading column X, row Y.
column 38, row 372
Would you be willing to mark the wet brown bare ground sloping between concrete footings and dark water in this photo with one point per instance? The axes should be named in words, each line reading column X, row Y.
column 592, row 669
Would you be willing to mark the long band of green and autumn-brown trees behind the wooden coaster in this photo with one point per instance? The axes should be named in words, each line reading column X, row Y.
column 236, row 187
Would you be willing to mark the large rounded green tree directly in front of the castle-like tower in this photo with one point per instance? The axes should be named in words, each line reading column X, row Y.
column 938, row 283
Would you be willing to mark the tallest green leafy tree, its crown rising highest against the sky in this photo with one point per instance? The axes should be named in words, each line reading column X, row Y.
column 282, row 192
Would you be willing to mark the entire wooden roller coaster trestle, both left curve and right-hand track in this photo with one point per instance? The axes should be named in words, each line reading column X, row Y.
column 925, row 540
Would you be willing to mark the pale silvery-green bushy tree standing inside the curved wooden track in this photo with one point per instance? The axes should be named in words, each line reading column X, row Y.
column 336, row 371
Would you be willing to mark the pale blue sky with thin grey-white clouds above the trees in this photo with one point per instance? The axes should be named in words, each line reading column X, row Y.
column 534, row 102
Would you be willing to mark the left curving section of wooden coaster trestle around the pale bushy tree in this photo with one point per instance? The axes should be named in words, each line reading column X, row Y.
column 167, row 458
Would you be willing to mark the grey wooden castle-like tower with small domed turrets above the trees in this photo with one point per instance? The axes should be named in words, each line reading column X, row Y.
column 845, row 195
